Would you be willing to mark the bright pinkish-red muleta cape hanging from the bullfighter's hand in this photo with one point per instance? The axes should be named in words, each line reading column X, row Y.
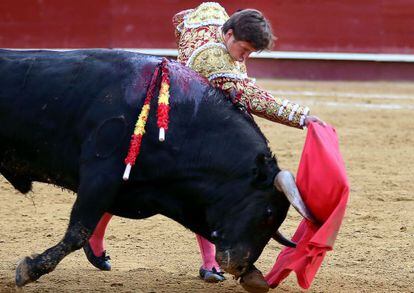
column 323, row 184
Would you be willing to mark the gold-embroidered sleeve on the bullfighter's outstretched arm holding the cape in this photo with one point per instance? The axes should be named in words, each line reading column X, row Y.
column 259, row 102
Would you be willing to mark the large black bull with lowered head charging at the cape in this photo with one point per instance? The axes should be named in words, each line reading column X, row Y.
column 66, row 119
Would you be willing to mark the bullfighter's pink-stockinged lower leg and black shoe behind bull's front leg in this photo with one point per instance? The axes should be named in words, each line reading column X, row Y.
column 95, row 246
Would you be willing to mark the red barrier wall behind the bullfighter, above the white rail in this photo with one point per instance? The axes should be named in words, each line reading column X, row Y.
column 302, row 25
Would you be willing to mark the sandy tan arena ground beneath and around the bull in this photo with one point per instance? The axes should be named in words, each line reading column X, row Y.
column 374, row 251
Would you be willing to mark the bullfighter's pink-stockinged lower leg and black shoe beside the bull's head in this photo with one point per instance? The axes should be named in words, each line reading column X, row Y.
column 210, row 270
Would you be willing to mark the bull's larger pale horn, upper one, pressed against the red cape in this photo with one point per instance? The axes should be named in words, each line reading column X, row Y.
column 285, row 182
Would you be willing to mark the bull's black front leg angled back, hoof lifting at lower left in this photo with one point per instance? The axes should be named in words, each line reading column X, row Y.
column 94, row 197
